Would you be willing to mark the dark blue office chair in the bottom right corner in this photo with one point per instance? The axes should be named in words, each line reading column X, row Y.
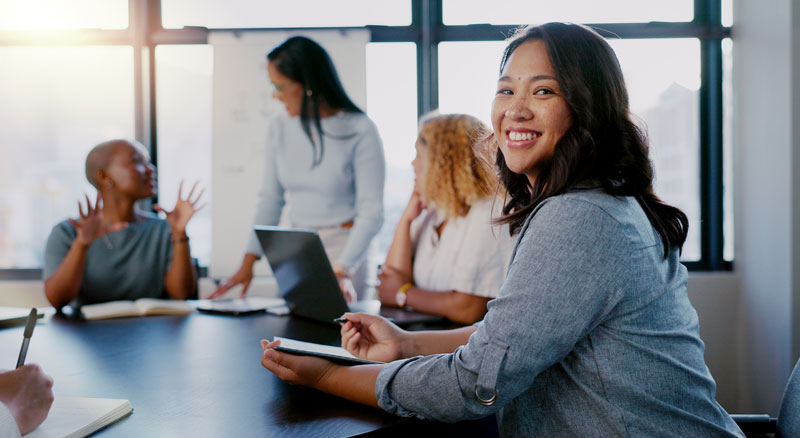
column 786, row 424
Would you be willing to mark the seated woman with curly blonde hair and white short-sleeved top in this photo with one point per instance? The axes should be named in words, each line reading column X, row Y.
column 447, row 258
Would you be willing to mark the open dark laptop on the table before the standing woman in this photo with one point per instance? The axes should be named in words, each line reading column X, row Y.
column 307, row 282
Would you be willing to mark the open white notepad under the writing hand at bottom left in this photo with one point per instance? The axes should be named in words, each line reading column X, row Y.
column 75, row 417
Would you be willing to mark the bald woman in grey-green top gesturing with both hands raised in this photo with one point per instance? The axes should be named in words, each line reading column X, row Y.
column 113, row 251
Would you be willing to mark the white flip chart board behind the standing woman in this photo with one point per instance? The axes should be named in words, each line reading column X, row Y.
column 242, row 102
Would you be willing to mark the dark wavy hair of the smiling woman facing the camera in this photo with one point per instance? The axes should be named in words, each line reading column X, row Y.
column 603, row 146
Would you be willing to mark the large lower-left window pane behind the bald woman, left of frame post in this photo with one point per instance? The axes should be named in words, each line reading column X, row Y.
column 58, row 102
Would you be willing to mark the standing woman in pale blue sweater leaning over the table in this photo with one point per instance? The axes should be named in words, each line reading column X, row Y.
column 325, row 157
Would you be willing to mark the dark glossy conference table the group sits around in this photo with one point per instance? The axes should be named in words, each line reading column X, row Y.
column 199, row 375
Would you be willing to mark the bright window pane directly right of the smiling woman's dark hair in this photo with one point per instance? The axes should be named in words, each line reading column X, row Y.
column 663, row 80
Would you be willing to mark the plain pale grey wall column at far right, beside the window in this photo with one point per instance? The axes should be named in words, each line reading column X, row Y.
column 765, row 141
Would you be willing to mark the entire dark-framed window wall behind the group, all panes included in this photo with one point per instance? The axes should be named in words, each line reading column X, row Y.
column 65, row 89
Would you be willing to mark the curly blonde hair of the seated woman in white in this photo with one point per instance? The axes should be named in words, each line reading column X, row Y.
column 457, row 174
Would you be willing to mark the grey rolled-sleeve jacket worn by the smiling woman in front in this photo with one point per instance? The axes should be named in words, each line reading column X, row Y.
column 592, row 334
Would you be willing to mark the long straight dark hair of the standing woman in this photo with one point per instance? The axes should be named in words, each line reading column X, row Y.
column 307, row 63
